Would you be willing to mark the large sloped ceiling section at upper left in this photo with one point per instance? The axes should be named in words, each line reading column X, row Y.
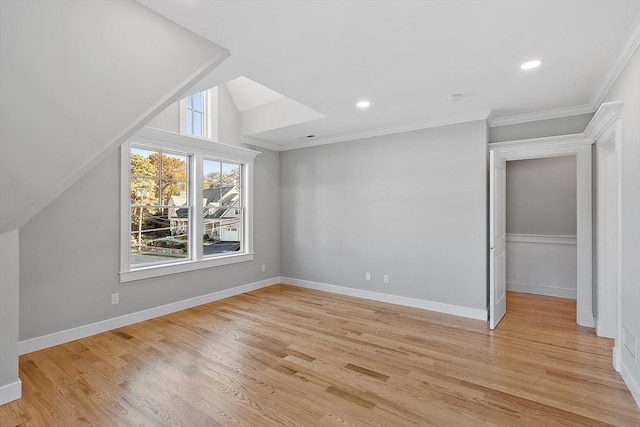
column 77, row 78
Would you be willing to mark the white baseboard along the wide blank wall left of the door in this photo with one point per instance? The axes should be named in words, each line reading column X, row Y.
column 457, row 310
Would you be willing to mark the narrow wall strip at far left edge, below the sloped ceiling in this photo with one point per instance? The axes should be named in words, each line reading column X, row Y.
column 10, row 388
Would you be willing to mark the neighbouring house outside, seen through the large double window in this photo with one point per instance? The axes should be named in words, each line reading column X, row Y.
column 220, row 219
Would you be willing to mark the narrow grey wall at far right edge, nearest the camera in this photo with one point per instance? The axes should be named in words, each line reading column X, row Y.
column 627, row 88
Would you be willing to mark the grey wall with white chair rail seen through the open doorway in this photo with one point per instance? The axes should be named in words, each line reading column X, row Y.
column 541, row 221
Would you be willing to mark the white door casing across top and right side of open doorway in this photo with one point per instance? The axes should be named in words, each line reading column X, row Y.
column 578, row 145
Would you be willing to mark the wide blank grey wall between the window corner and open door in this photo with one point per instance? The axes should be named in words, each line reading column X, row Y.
column 411, row 205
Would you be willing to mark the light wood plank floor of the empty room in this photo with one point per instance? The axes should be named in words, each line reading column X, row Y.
column 285, row 356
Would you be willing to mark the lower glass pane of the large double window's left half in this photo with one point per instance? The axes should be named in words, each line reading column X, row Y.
column 157, row 238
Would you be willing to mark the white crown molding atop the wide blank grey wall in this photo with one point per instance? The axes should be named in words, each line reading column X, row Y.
column 405, row 127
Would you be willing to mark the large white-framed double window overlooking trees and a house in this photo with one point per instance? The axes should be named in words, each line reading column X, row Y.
column 187, row 204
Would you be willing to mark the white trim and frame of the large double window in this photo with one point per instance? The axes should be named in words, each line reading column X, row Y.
column 198, row 147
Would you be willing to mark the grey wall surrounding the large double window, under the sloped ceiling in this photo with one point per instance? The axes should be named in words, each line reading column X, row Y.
column 70, row 255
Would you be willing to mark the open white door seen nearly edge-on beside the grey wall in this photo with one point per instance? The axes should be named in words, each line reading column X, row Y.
column 497, row 239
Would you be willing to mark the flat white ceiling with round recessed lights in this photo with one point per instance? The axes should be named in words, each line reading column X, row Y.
column 408, row 57
